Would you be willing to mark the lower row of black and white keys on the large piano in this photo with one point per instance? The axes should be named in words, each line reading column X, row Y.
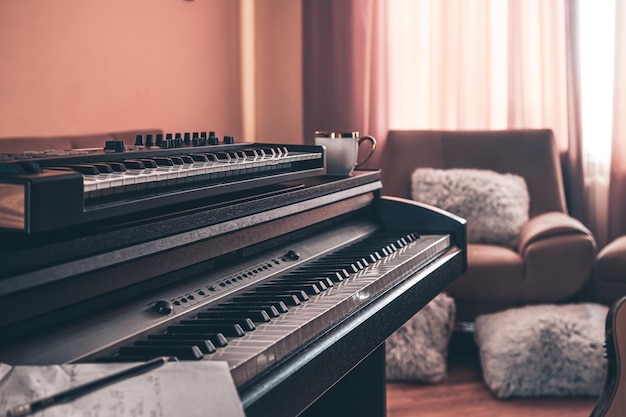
column 257, row 327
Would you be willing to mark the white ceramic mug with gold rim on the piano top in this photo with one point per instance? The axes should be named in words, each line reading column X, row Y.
column 342, row 150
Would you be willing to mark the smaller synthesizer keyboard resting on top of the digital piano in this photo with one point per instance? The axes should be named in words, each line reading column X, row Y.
column 81, row 186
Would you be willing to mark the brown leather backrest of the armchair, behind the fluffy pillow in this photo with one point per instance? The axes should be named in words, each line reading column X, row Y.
column 530, row 153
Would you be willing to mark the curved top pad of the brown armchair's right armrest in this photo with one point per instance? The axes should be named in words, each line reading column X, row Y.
column 547, row 225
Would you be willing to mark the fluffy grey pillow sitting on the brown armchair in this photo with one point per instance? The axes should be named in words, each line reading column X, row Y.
column 495, row 205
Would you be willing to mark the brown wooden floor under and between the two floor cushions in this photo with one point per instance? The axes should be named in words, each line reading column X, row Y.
column 464, row 394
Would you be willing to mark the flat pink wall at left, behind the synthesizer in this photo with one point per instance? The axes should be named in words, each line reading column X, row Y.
column 79, row 67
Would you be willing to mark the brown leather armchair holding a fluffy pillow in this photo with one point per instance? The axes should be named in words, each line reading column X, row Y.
column 555, row 255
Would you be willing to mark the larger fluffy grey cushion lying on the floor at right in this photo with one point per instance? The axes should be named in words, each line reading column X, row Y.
column 543, row 350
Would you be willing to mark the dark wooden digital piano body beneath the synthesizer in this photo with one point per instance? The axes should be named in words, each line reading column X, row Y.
column 86, row 292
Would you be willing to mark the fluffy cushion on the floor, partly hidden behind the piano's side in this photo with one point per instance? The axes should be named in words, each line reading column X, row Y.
column 418, row 350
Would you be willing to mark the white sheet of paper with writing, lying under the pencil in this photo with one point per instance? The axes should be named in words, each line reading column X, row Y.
column 190, row 389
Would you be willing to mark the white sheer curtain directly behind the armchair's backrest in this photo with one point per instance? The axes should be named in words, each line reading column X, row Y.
column 480, row 64
